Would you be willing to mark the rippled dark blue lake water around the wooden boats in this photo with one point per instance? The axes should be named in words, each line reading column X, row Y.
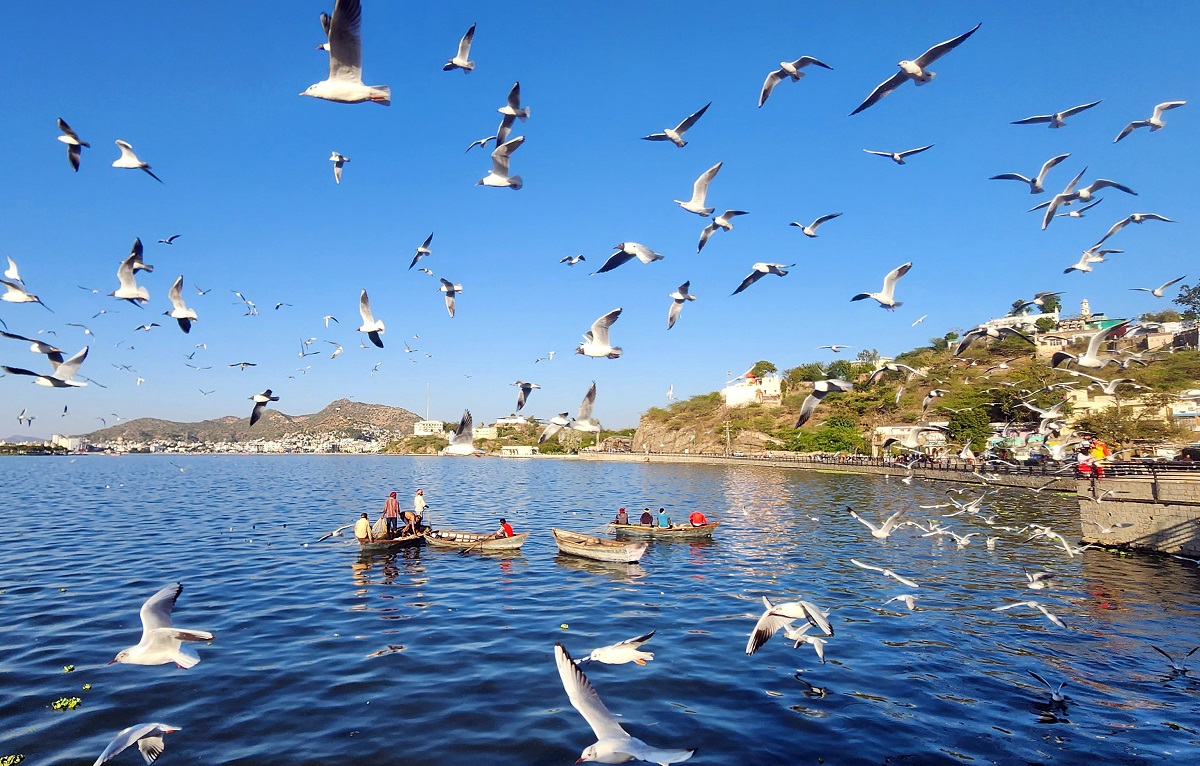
column 325, row 656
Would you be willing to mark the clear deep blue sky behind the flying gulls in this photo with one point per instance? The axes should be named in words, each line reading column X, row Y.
column 211, row 100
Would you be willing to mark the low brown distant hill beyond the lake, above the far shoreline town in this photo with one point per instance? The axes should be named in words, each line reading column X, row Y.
column 341, row 418
